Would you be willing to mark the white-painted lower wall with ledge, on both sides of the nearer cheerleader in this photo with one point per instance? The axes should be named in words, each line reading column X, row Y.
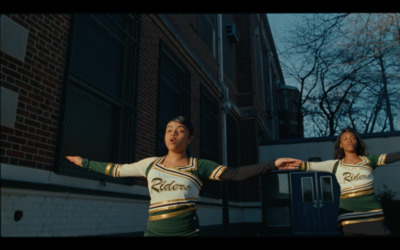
column 57, row 214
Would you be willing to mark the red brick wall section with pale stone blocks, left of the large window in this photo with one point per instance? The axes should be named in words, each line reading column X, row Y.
column 38, row 81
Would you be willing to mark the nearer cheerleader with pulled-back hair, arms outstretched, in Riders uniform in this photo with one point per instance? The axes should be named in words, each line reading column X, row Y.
column 174, row 180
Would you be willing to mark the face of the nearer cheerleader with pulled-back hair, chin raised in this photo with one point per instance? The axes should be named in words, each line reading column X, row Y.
column 177, row 137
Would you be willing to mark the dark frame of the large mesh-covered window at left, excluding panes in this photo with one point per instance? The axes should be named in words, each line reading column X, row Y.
column 125, row 103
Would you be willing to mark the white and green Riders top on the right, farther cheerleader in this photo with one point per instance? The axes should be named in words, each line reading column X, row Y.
column 357, row 197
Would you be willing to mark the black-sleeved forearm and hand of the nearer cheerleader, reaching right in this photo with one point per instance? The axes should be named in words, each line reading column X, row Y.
column 245, row 172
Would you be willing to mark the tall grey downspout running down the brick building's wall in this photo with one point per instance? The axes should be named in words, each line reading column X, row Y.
column 225, row 109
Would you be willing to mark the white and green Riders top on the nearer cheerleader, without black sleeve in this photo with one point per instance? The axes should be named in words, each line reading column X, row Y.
column 173, row 190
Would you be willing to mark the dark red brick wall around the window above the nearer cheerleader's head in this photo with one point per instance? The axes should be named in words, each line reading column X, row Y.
column 153, row 32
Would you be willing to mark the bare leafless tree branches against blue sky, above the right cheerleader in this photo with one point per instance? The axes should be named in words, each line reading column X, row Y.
column 347, row 68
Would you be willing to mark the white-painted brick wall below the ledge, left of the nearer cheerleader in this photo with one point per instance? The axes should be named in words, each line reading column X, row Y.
column 63, row 214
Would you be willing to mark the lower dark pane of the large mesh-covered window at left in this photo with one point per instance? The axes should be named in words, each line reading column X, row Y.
column 89, row 125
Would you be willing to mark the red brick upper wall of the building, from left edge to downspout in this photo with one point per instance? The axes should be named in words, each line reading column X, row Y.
column 39, row 82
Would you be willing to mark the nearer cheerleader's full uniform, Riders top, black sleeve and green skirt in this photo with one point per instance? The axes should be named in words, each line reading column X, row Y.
column 174, row 190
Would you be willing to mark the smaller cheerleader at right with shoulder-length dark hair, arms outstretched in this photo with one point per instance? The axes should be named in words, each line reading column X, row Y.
column 359, row 211
